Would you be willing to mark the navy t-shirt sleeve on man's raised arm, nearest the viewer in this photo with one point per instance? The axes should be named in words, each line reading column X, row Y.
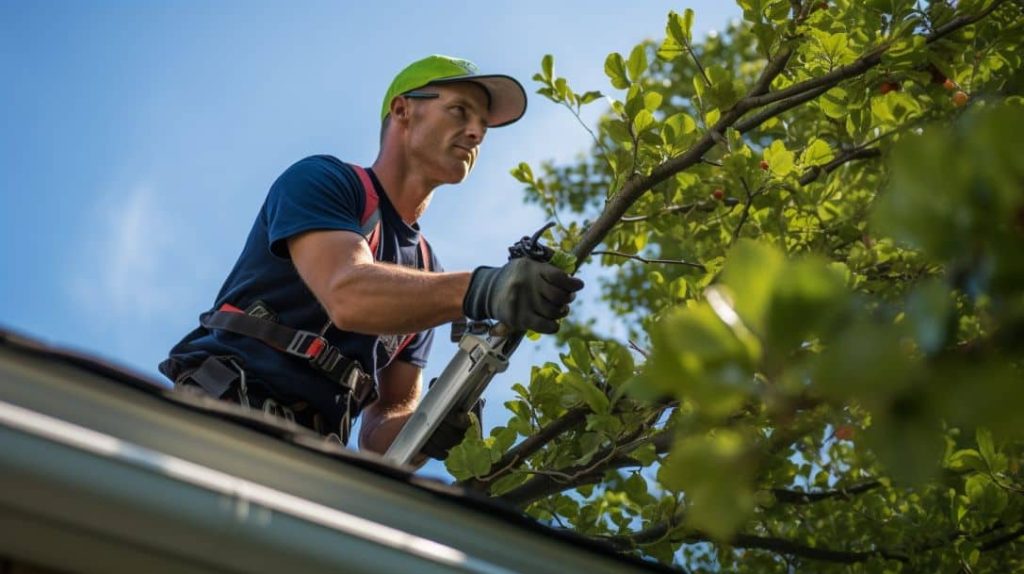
column 315, row 194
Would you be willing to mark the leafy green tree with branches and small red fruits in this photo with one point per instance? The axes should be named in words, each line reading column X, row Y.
column 813, row 229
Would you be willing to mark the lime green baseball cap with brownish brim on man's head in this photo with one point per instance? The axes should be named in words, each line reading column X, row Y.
column 508, row 99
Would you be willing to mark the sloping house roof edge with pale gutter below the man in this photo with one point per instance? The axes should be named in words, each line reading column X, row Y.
column 124, row 475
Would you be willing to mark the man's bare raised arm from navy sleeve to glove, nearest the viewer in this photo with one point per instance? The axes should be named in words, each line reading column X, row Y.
column 364, row 296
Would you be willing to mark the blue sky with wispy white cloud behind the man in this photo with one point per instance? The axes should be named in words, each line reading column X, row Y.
column 140, row 139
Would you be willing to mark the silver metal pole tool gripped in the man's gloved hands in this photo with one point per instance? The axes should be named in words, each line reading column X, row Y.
column 485, row 349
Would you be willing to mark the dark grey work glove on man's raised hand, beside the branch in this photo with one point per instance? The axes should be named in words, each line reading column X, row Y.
column 525, row 295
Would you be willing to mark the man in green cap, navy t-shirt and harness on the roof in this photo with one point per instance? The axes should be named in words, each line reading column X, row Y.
column 330, row 308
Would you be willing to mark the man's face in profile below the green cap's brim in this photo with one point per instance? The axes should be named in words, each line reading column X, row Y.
column 446, row 134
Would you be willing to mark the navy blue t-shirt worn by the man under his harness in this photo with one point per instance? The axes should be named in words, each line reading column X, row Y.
column 318, row 193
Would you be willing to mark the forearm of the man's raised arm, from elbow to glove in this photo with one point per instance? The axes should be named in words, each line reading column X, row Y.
column 385, row 299
